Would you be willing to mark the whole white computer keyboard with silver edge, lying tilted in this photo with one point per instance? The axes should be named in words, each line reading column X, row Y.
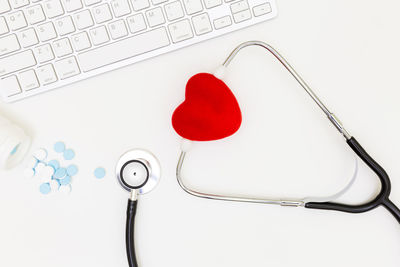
column 45, row 44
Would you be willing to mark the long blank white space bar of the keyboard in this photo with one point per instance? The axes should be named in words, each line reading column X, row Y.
column 126, row 48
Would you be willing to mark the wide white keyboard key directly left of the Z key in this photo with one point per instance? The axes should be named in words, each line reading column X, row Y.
column 16, row 62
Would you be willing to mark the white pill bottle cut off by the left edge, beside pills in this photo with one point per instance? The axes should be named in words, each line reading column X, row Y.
column 14, row 144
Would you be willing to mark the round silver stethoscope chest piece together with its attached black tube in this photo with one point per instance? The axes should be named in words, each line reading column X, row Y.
column 138, row 172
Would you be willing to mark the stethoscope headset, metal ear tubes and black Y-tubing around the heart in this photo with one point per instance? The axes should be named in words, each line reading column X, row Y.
column 313, row 203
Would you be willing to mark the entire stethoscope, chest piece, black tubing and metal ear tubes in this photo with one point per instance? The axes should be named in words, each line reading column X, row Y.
column 138, row 171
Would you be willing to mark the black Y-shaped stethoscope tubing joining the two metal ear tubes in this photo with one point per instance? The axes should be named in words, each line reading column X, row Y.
column 381, row 199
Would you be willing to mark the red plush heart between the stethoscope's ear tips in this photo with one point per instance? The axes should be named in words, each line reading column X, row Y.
column 210, row 110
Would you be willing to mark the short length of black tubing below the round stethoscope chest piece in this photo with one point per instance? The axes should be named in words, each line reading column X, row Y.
column 130, row 233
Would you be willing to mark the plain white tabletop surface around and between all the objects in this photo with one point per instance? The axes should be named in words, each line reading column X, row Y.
column 348, row 51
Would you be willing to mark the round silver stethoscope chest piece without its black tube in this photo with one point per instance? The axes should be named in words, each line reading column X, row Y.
column 138, row 170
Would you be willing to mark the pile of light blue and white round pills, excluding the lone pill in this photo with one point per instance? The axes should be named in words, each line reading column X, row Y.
column 51, row 175
